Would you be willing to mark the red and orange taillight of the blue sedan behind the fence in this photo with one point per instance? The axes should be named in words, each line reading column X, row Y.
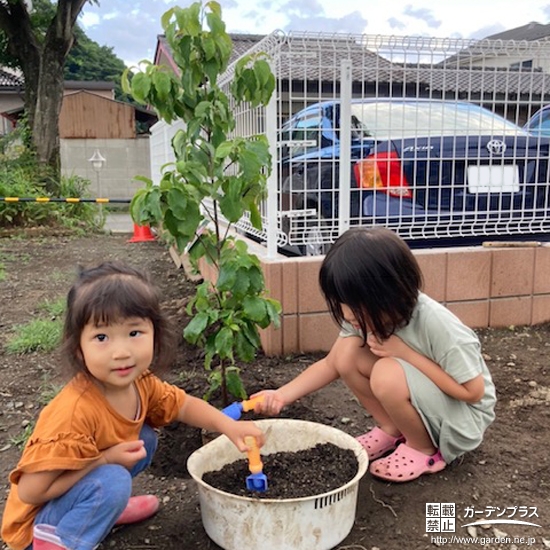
column 382, row 171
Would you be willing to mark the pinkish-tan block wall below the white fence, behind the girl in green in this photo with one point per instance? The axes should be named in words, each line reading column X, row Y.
column 485, row 287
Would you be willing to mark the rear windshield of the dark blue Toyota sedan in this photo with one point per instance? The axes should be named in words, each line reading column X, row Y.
column 387, row 120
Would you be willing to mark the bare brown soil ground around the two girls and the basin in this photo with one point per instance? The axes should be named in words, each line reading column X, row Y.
column 508, row 476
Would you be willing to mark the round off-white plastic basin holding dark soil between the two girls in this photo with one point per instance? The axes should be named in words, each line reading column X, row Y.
column 318, row 522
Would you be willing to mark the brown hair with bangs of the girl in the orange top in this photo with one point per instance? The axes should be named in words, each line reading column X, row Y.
column 108, row 293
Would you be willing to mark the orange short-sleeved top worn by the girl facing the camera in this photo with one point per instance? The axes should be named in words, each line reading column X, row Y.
column 73, row 430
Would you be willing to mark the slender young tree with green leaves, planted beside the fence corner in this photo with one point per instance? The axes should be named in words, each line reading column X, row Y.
column 215, row 181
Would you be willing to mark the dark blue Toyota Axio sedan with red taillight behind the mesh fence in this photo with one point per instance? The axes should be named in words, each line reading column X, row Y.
column 429, row 169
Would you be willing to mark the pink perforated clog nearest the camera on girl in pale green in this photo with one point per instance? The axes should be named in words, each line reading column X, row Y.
column 406, row 464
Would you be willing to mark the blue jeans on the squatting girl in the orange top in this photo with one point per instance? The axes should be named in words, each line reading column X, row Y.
column 85, row 514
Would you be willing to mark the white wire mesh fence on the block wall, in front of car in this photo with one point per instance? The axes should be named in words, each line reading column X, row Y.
column 450, row 178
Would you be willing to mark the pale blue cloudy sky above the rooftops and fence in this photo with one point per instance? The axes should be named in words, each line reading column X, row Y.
column 131, row 27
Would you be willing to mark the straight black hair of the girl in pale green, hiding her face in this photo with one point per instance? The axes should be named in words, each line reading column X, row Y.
column 376, row 275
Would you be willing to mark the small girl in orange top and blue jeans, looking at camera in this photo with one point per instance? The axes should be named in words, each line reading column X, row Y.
column 74, row 479
